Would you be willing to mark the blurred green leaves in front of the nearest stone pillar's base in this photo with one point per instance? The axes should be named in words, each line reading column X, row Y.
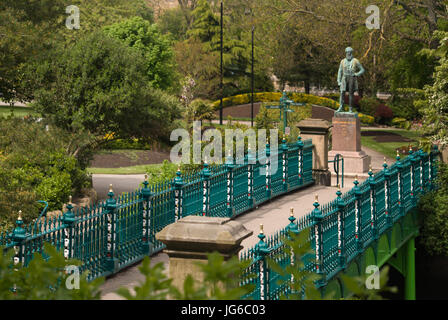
column 220, row 282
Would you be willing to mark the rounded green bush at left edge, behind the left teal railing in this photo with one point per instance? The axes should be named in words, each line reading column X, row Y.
column 36, row 164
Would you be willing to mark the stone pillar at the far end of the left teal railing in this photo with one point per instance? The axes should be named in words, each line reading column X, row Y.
column 318, row 131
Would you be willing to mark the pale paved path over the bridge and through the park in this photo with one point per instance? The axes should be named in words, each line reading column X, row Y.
column 273, row 215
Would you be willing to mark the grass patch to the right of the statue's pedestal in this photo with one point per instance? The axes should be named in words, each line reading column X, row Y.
column 389, row 149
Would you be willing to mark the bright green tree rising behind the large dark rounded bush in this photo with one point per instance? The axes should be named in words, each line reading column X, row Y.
column 156, row 49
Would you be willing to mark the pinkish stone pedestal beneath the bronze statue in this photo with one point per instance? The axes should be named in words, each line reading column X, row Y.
column 346, row 141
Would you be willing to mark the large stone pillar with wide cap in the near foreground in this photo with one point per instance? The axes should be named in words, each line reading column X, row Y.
column 190, row 239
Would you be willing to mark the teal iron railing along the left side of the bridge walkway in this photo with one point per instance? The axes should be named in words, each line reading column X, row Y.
column 120, row 231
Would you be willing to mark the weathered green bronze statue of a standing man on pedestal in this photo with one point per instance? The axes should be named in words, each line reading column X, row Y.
column 347, row 77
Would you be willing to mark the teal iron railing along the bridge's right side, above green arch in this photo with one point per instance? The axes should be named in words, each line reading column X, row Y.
column 341, row 230
